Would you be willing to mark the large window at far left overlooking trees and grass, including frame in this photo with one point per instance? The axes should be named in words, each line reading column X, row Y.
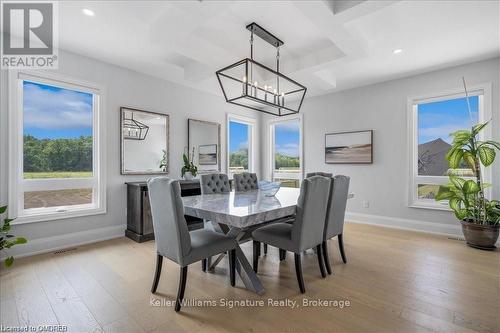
column 56, row 151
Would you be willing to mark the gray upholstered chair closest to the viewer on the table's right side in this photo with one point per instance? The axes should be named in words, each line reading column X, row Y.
column 306, row 231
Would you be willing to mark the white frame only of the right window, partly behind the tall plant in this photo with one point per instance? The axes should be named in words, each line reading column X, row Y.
column 484, row 93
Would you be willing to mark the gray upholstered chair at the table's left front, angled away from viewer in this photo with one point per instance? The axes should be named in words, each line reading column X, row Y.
column 175, row 242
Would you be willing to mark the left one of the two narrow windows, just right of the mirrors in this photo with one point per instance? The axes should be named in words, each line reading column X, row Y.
column 240, row 144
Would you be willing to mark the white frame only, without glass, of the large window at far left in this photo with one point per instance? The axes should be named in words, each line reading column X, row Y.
column 18, row 185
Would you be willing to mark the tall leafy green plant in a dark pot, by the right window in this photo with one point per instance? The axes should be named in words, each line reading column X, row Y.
column 480, row 217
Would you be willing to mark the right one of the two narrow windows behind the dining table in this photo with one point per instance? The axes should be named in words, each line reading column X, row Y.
column 286, row 151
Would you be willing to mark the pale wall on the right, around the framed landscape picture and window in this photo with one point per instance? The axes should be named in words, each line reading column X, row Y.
column 383, row 108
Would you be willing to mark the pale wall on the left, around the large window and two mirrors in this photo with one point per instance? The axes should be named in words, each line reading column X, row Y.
column 124, row 88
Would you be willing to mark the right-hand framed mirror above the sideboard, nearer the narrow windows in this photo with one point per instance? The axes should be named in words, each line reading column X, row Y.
column 204, row 137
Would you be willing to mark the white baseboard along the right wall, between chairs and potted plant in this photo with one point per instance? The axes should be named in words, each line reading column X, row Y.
column 407, row 224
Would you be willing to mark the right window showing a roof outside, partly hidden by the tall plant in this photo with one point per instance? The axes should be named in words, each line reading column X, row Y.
column 432, row 120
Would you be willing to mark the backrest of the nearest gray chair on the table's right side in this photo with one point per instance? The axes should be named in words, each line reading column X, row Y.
column 312, row 205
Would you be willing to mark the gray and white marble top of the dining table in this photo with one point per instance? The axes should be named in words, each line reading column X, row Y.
column 242, row 209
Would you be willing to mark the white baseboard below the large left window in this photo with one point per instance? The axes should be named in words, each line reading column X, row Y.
column 54, row 243
